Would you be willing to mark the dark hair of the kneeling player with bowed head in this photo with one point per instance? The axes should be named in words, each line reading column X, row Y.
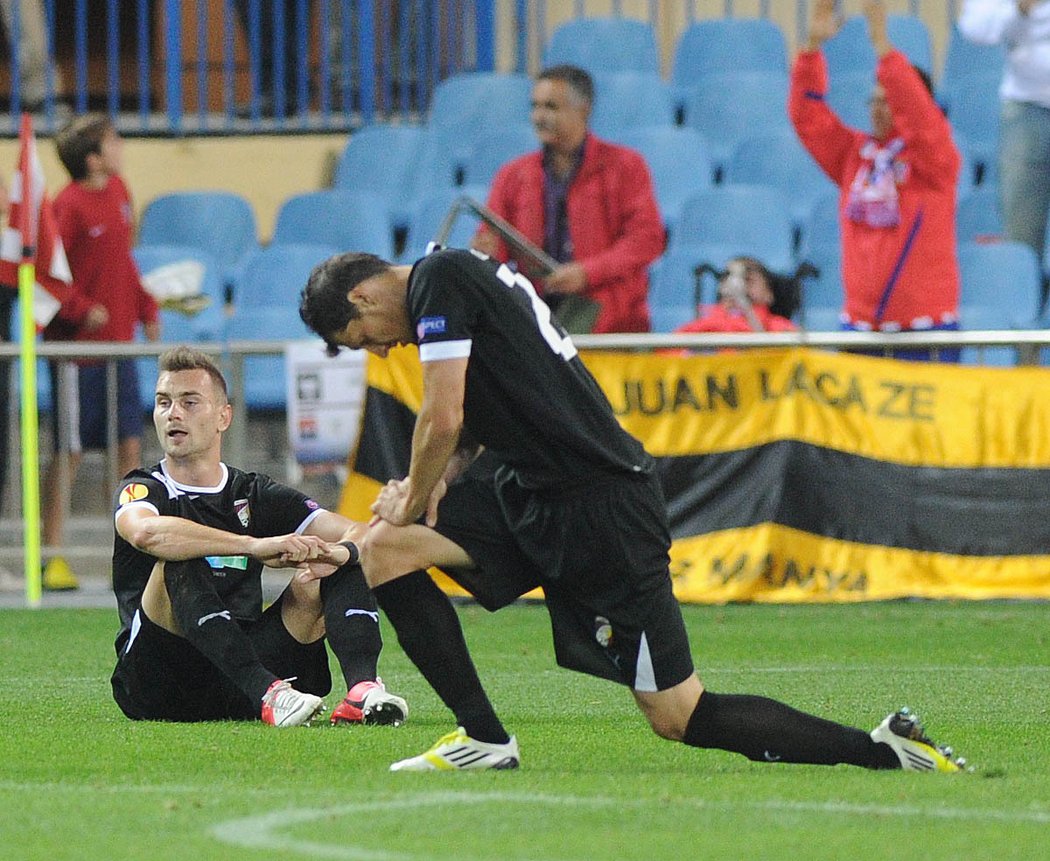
column 324, row 305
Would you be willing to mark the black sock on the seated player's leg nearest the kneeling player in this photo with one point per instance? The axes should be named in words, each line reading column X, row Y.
column 352, row 624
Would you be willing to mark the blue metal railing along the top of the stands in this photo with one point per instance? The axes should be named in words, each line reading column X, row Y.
column 172, row 68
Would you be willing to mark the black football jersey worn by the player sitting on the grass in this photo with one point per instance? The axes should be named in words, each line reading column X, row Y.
column 245, row 503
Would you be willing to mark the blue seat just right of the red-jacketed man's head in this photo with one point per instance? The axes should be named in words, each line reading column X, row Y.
column 627, row 100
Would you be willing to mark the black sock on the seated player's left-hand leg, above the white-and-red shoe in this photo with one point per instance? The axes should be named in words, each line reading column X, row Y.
column 205, row 622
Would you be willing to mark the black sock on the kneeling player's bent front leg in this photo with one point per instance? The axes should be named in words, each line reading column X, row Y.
column 430, row 633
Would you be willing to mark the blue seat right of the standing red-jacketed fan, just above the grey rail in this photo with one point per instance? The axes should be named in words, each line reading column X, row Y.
column 1004, row 279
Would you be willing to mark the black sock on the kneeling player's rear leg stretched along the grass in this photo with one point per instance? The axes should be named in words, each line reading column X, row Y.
column 767, row 731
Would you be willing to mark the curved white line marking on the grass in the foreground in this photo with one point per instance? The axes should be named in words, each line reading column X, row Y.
column 264, row 831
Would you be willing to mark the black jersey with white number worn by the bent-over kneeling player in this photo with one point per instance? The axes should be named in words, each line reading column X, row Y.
column 530, row 400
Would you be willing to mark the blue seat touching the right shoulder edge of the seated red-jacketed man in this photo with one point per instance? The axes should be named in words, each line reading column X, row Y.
column 680, row 164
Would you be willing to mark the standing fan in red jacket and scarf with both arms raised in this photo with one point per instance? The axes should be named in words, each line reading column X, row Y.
column 898, row 186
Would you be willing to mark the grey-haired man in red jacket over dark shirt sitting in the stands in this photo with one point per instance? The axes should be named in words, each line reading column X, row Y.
column 589, row 203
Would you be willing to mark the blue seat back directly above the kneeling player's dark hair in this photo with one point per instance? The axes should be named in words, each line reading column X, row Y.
column 349, row 221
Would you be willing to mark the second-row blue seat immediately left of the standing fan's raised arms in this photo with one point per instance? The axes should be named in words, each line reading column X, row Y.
column 727, row 109
